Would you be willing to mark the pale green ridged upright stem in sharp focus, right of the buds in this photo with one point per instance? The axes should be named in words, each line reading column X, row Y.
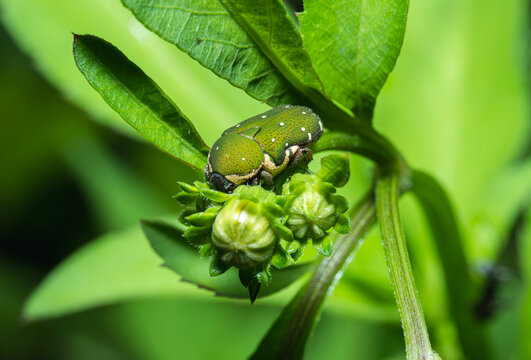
column 414, row 326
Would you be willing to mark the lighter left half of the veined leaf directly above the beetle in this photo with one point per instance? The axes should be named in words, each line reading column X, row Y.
column 205, row 31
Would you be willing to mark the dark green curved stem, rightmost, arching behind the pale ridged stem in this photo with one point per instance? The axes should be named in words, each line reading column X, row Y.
column 459, row 285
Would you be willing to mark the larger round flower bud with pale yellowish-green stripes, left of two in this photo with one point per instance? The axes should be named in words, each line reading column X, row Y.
column 243, row 234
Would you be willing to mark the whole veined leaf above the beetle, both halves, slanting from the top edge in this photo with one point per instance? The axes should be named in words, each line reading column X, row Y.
column 256, row 48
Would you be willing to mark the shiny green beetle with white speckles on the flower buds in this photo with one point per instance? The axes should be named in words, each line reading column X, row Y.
column 261, row 147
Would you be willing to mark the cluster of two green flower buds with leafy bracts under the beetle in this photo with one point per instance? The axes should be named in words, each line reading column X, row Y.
column 253, row 229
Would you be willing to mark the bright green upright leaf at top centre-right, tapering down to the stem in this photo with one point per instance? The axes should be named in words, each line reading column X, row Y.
column 354, row 45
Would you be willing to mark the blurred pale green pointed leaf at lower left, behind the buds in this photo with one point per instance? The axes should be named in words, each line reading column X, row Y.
column 115, row 267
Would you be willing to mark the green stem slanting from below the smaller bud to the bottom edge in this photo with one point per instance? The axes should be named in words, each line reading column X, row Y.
column 287, row 338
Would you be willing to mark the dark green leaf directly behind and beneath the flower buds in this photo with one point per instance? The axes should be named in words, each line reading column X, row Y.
column 167, row 240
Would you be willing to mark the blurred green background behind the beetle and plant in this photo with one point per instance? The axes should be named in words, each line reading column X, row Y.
column 456, row 106
